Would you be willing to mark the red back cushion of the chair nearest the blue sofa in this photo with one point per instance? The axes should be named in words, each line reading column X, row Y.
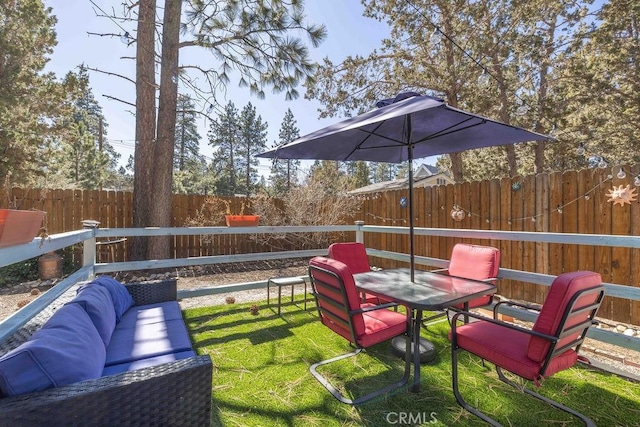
column 334, row 292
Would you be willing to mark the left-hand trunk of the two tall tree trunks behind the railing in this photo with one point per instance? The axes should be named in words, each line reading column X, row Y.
column 145, row 122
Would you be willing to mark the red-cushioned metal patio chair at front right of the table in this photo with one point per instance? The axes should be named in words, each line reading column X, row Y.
column 550, row 346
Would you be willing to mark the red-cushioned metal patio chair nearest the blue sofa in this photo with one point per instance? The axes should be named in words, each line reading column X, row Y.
column 362, row 324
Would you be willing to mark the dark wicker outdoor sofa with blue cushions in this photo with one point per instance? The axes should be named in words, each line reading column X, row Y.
column 106, row 354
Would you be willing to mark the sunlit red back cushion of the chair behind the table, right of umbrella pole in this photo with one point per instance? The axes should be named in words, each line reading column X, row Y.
column 474, row 261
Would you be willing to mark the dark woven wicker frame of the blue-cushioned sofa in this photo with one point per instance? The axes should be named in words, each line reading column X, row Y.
column 170, row 394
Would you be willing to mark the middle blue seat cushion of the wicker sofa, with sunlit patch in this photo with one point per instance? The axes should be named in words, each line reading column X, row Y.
column 147, row 340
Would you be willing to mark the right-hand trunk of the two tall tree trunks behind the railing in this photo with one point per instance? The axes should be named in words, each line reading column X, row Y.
column 163, row 161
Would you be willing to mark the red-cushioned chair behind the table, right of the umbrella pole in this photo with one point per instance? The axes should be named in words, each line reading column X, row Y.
column 472, row 262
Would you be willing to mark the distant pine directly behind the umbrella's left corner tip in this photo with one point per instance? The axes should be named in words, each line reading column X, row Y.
column 253, row 140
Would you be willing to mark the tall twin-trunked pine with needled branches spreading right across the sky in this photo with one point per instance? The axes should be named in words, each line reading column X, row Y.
column 261, row 43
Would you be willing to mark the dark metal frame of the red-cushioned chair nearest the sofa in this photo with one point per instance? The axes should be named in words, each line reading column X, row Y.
column 349, row 325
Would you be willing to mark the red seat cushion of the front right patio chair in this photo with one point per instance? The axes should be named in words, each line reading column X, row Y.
column 507, row 348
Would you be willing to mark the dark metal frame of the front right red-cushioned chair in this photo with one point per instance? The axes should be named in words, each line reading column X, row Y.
column 552, row 352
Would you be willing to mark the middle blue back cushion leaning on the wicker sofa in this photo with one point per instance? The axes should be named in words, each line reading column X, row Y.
column 96, row 301
